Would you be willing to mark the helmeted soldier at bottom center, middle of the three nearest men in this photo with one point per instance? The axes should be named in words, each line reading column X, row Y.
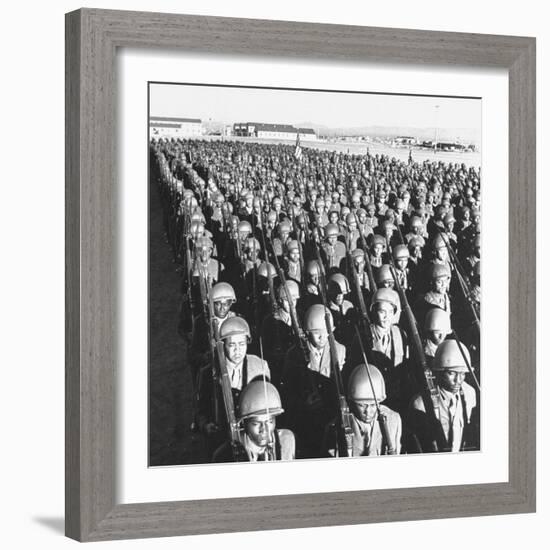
column 376, row 428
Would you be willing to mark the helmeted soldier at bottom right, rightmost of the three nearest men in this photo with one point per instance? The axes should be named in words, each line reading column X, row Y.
column 457, row 402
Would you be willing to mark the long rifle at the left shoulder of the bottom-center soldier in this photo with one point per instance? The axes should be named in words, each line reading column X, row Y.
column 345, row 414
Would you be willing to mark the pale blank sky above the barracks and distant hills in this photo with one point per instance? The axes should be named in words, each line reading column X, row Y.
column 335, row 110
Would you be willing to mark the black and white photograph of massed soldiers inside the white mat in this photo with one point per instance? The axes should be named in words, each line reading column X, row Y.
column 314, row 274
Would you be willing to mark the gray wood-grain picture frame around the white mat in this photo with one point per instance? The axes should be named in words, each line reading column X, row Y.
column 92, row 39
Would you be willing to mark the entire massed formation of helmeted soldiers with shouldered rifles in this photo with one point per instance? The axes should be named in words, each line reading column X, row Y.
column 331, row 302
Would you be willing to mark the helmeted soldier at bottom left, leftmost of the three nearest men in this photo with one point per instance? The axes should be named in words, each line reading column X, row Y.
column 259, row 405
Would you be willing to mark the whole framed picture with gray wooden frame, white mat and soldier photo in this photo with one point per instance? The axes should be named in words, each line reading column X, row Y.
column 274, row 253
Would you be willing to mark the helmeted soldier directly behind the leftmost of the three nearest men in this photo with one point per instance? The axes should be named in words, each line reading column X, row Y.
column 242, row 369
